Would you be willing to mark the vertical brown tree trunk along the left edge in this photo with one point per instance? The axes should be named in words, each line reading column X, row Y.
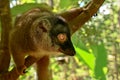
column 6, row 26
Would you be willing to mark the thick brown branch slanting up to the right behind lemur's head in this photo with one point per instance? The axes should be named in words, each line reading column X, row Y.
column 78, row 16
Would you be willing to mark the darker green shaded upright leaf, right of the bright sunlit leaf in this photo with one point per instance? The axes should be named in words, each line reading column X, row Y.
column 100, row 62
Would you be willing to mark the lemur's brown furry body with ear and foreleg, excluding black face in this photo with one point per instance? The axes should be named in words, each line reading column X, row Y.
column 30, row 37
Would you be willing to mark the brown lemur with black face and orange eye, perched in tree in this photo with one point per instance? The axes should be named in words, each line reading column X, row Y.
column 36, row 35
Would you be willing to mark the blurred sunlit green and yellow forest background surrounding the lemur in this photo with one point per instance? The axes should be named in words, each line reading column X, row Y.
column 97, row 43
